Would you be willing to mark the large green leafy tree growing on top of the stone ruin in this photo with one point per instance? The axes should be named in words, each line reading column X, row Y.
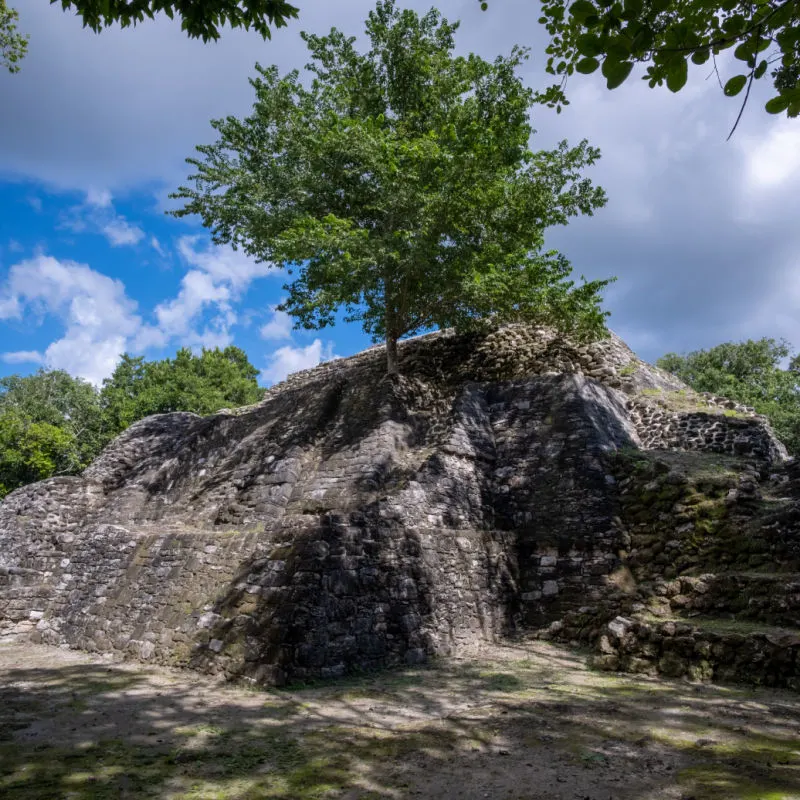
column 398, row 184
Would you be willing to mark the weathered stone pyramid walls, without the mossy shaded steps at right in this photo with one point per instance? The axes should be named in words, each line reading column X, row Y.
column 351, row 521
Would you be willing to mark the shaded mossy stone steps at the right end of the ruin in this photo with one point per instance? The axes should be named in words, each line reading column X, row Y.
column 708, row 585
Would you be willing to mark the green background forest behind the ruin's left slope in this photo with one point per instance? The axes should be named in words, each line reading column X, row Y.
column 54, row 424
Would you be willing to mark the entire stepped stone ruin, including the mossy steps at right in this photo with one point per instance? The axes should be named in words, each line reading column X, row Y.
column 508, row 483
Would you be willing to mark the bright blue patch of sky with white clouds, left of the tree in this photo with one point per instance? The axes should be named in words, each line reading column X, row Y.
column 88, row 276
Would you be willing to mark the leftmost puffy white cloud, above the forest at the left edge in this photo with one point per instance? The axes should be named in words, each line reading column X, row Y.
column 98, row 316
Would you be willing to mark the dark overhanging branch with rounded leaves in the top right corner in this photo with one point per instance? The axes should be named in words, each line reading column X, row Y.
column 665, row 35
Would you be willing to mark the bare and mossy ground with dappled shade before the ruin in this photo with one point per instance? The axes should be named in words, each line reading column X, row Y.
column 516, row 723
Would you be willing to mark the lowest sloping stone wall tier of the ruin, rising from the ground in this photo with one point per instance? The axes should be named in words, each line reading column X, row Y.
column 327, row 600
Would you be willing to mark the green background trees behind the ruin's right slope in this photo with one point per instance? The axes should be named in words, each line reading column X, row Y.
column 749, row 372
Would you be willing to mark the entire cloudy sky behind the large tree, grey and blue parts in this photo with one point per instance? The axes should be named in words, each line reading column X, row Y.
column 701, row 233
